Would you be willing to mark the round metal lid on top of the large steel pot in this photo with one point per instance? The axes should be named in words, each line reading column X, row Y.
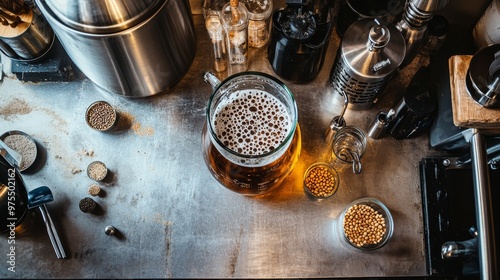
column 102, row 16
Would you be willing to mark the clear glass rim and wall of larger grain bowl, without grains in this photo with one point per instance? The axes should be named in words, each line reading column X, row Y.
column 378, row 207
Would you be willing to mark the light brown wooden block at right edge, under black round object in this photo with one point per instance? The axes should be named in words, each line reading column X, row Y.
column 466, row 112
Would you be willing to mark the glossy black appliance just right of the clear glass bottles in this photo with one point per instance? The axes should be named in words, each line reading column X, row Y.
column 299, row 38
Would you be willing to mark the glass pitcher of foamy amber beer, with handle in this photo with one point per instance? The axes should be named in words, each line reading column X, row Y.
column 251, row 138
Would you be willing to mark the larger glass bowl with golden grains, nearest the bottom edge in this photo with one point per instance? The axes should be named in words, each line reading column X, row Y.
column 365, row 224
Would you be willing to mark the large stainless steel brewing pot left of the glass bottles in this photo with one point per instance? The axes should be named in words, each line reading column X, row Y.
column 144, row 56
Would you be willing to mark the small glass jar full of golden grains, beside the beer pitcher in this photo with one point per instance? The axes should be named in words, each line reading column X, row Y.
column 321, row 181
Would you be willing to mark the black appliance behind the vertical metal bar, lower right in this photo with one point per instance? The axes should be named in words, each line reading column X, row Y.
column 449, row 214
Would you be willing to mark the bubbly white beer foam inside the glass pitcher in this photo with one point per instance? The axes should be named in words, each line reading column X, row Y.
column 251, row 122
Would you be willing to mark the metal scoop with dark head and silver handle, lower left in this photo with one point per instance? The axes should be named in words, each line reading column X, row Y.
column 38, row 198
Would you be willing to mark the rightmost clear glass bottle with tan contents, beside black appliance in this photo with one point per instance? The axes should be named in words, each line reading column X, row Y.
column 259, row 12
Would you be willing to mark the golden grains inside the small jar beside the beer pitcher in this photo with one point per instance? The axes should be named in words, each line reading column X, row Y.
column 320, row 181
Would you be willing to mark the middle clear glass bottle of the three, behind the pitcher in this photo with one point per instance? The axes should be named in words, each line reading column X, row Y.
column 234, row 17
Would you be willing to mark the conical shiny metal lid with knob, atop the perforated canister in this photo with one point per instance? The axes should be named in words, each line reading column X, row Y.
column 372, row 48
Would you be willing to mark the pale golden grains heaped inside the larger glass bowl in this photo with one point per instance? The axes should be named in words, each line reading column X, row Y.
column 364, row 225
